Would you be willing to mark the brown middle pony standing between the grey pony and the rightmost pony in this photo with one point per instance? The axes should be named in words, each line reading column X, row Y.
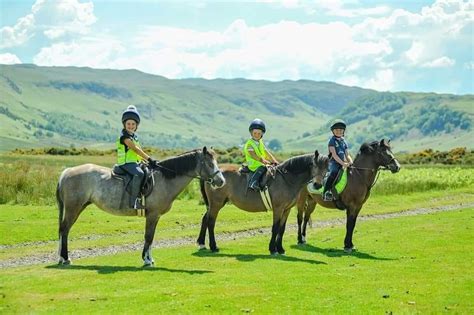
column 290, row 177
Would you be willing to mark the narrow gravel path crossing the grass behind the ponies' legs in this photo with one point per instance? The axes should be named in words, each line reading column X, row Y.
column 114, row 249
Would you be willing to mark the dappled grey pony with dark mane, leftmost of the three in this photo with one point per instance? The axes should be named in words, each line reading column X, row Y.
column 88, row 184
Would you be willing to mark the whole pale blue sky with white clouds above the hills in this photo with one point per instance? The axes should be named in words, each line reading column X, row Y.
column 391, row 45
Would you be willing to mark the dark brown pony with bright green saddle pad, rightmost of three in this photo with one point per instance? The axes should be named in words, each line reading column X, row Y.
column 361, row 177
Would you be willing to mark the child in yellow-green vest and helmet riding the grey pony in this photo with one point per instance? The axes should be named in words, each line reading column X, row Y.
column 130, row 153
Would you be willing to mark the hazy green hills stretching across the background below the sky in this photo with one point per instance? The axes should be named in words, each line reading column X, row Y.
column 63, row 106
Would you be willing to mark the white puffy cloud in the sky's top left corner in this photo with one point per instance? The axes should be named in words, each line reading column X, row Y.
column 54, row 18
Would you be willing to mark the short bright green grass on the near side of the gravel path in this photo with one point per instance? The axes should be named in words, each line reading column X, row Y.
column 404, row 265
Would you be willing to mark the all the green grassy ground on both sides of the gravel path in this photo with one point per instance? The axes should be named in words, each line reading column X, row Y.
column 404, row 265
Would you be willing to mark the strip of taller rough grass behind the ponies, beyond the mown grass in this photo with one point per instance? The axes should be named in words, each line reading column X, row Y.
column 32, row 181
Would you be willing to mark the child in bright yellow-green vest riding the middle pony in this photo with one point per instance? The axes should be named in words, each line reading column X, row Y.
column 256, row 154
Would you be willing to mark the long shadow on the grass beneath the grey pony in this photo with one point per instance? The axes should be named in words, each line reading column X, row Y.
column 114, row 269
